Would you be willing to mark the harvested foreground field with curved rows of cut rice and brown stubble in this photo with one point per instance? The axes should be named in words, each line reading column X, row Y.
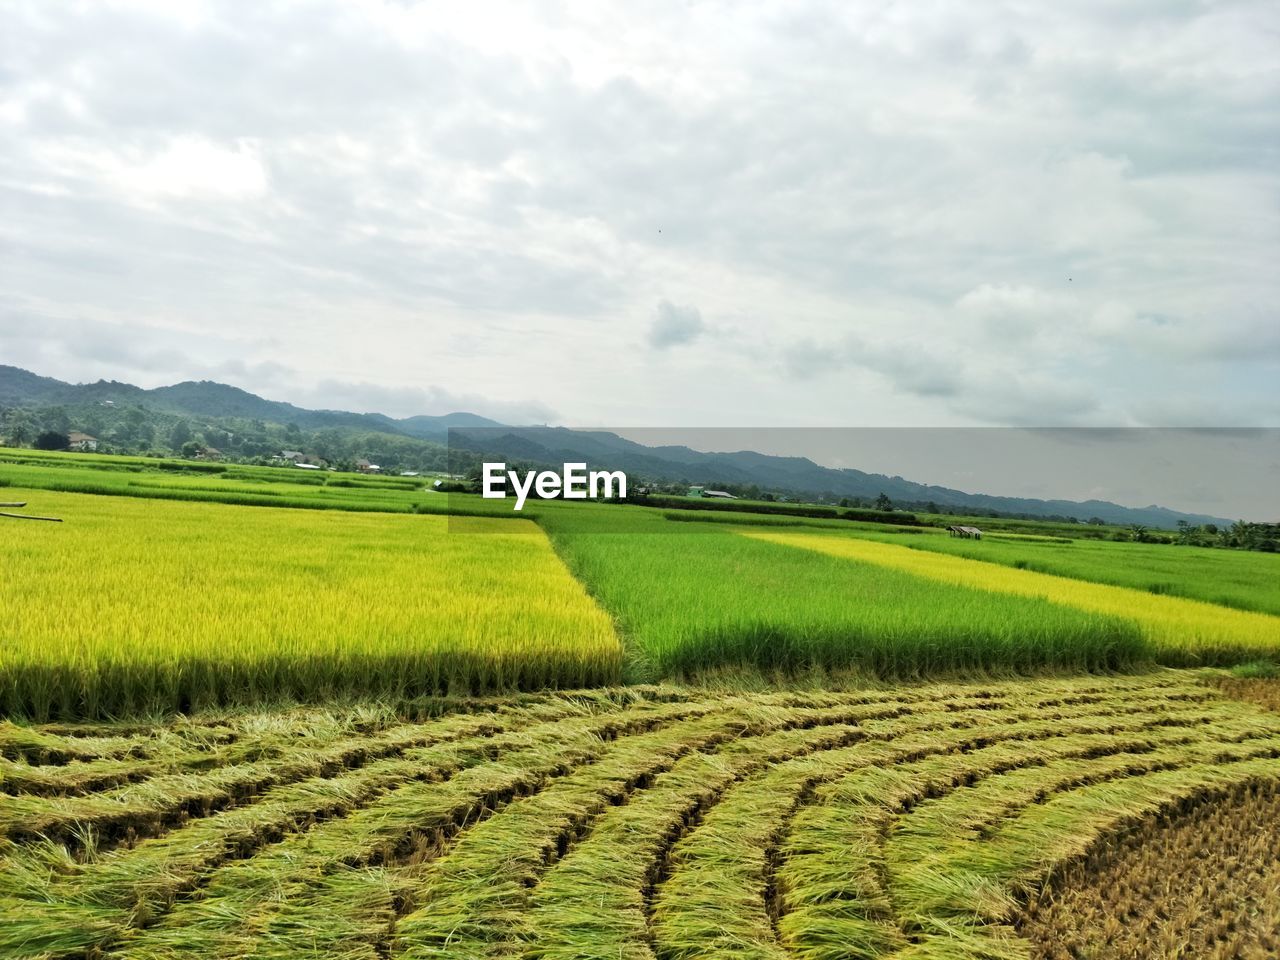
column 971, row 820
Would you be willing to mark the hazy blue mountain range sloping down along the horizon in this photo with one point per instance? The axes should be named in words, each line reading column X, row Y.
column 556, row 446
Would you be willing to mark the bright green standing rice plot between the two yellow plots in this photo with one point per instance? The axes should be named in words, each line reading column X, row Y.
column 711, row 601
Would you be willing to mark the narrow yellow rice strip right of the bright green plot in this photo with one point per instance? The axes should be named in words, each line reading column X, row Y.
column 1181, row 632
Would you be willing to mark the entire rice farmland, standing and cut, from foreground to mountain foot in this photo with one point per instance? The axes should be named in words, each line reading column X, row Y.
column 344, row 725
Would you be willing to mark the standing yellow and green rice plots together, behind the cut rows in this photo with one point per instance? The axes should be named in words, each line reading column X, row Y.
column 143, row 606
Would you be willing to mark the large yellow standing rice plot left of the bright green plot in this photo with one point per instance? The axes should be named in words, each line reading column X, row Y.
column 139, row 607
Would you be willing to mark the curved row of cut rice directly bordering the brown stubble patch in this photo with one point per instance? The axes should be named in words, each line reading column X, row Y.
column 852, row 860
